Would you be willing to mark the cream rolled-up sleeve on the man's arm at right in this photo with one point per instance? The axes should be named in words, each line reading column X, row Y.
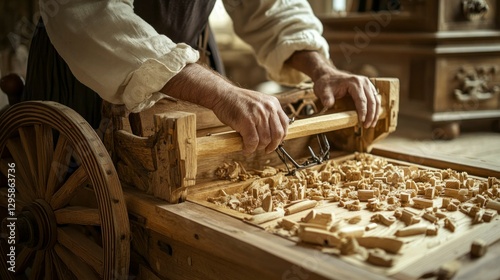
column 275, row 29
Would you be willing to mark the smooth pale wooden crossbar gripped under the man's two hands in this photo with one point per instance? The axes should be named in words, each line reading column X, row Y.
column 232, row 141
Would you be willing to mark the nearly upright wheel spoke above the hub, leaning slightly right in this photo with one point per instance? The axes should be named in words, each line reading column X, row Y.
column 59, row 166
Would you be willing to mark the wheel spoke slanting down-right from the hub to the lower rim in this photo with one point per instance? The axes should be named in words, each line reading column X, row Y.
column 86, row 249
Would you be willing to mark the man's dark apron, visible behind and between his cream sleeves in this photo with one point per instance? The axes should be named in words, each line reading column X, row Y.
column 48, row 77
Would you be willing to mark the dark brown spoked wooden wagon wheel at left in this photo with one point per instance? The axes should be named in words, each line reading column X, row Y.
column 70, row 216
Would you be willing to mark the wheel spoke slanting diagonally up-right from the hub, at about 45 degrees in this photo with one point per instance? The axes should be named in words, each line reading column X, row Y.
column 70, row 187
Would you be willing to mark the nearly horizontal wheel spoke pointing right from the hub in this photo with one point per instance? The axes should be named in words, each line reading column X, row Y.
column 78, row 215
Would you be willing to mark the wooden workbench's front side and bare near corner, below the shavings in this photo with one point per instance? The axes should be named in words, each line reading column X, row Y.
column 197, row 242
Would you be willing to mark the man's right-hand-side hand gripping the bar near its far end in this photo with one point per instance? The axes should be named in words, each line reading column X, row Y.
column 331, row 84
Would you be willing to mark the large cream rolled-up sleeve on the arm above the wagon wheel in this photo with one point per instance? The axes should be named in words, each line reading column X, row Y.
column 113, row 51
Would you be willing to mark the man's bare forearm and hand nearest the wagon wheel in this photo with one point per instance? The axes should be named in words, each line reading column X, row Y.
column 258, row 117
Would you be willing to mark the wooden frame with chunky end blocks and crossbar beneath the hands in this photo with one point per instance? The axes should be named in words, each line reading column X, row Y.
column 175, row 145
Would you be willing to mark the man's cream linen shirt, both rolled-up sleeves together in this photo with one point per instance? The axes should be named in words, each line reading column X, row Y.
column 121, row 57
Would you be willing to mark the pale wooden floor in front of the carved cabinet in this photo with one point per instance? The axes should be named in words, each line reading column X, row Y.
column 476, row 143
